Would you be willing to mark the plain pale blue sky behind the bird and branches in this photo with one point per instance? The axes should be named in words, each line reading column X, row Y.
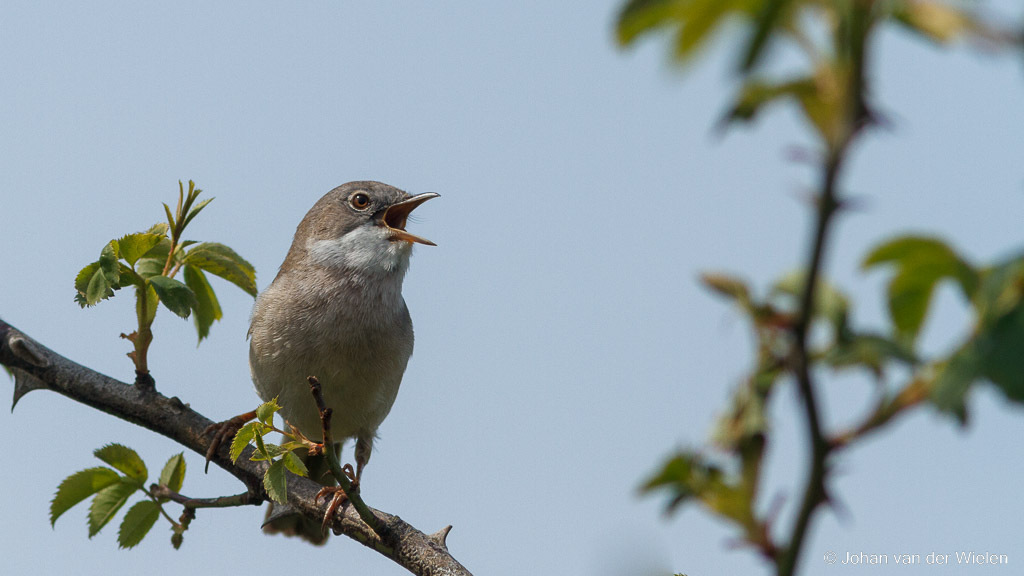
column 564, row 346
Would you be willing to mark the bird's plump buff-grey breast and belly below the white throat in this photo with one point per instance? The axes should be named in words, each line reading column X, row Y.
column 354, row 334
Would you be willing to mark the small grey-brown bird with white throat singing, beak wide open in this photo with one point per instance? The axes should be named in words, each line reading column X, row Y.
column 336, row 312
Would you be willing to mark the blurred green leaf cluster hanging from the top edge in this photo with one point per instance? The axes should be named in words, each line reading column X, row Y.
column 834, row 60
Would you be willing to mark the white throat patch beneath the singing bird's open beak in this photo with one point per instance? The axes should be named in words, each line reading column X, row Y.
column 366, row 251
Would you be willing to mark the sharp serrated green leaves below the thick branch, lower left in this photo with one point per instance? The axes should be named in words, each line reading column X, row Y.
column 112, row 487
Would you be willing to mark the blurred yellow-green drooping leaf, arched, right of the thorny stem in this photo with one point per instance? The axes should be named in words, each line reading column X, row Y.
column 921, row 264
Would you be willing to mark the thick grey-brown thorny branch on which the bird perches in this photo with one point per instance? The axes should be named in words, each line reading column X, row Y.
column 37, row 367
